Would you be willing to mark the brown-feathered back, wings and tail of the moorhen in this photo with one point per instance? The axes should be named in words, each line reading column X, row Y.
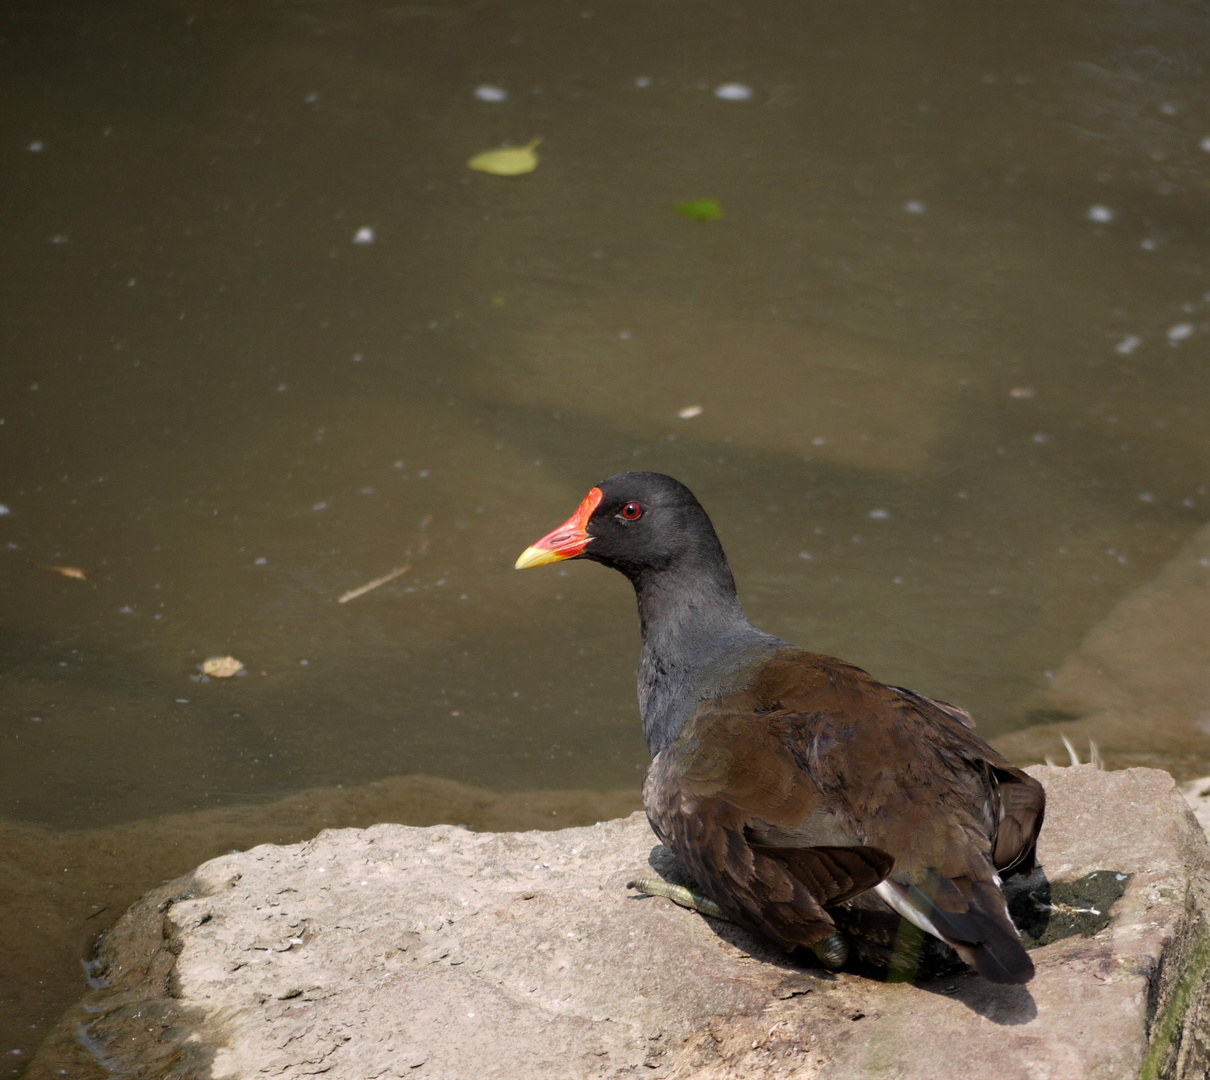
column 815, row 782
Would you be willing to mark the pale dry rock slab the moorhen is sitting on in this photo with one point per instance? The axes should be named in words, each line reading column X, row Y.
column 440, row 952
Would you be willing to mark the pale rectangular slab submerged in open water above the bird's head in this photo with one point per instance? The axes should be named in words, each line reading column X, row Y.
column 843, row 398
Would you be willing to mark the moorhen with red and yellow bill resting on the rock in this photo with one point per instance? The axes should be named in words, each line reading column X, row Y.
column 793, row 784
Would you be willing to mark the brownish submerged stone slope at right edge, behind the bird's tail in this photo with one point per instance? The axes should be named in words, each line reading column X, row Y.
column 1139, row 685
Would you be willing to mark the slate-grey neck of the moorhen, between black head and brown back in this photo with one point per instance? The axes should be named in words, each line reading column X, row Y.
column 695, row 634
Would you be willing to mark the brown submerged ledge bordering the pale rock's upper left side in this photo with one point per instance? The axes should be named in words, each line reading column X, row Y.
column 64, row 888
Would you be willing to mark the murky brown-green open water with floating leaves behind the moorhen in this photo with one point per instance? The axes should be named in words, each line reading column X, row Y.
column 948, row 340
